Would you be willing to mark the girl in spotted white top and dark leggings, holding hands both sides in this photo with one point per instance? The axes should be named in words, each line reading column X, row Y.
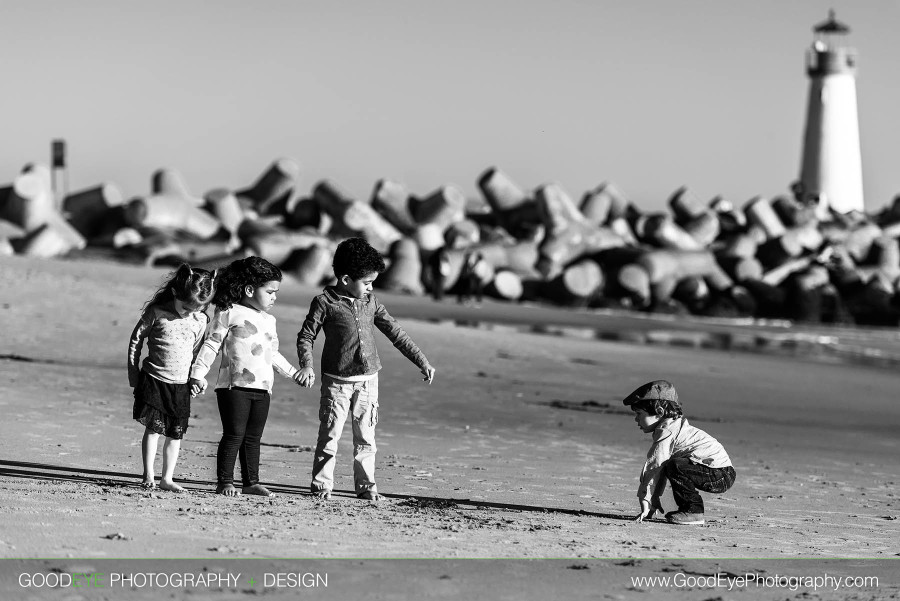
column 242, row 325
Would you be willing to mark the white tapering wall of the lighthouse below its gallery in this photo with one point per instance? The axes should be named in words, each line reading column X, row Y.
column 832, row 163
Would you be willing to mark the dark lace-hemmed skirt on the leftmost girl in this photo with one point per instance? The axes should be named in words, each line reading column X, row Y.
column 163, row 408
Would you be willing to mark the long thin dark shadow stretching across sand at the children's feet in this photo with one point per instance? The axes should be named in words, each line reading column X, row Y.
column 43, row 471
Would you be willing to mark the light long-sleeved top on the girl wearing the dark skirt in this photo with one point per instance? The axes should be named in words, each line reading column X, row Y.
column 172, row 341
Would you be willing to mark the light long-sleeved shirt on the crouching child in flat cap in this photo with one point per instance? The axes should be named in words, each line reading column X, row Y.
column 675, row 437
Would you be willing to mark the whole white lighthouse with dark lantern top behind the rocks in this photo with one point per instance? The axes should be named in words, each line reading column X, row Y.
column 832, row 164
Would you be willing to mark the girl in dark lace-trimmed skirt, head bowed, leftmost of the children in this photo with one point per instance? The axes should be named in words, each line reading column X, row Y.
column 173, row 323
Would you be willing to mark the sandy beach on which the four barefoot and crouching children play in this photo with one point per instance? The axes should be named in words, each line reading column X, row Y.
column 520, row 450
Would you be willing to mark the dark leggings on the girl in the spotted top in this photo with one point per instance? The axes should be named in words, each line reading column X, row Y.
column 243, row 412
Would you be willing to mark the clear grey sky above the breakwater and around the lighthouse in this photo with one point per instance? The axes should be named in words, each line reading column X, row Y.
column 649, row 95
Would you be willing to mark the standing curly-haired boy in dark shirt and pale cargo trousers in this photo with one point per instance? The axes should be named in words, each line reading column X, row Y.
column 348, row 312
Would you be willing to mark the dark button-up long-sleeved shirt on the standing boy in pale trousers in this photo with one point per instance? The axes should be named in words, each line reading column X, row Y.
column 349, row 325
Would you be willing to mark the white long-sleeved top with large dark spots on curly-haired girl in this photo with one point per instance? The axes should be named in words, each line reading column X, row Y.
column 250, row 345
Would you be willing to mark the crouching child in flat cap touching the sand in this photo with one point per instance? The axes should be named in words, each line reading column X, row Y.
column 688, row 457
